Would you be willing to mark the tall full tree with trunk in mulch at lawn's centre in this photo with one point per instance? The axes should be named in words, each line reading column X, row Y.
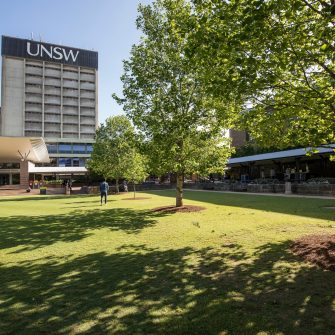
column 165, row 99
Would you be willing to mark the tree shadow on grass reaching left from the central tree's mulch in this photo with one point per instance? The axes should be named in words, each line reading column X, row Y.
column 31, row 232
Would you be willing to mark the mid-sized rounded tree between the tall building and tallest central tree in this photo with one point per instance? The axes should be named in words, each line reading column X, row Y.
column 113, row 147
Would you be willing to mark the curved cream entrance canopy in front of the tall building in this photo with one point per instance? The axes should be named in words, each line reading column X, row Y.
column 16, row 149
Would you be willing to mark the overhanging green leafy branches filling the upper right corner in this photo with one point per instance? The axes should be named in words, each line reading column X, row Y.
column 276, row 58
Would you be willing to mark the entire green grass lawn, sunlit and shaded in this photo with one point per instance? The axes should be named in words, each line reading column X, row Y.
column 71, row 266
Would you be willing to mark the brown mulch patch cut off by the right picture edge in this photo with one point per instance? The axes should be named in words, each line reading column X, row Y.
column 316, row 249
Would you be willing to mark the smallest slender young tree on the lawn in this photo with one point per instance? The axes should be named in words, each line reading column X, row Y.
column 136, row 171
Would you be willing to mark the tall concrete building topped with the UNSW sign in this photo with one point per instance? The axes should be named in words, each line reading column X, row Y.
column 50, row 91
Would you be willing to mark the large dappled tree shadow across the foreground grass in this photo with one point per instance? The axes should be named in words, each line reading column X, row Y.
column 185, row 291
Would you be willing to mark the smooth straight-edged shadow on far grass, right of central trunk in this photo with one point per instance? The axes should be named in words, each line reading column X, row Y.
column 306, row 207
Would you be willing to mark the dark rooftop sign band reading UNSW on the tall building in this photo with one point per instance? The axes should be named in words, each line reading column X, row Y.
column 17, row 47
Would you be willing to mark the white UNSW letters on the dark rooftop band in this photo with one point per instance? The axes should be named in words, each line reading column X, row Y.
column 52, row 52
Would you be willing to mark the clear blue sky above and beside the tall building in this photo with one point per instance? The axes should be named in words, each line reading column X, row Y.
column 106, row 26
